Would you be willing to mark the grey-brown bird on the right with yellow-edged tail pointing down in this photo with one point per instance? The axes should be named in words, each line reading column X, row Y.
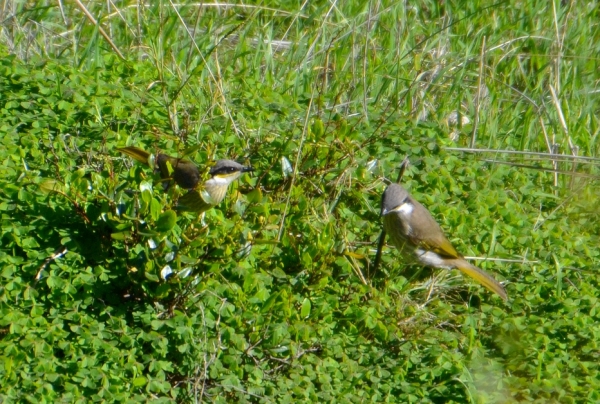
column 416, row 234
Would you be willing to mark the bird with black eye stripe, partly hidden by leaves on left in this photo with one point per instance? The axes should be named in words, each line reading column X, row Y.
column 185, row 173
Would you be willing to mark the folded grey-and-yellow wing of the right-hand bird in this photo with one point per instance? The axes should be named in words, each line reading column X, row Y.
column 427, row 234
